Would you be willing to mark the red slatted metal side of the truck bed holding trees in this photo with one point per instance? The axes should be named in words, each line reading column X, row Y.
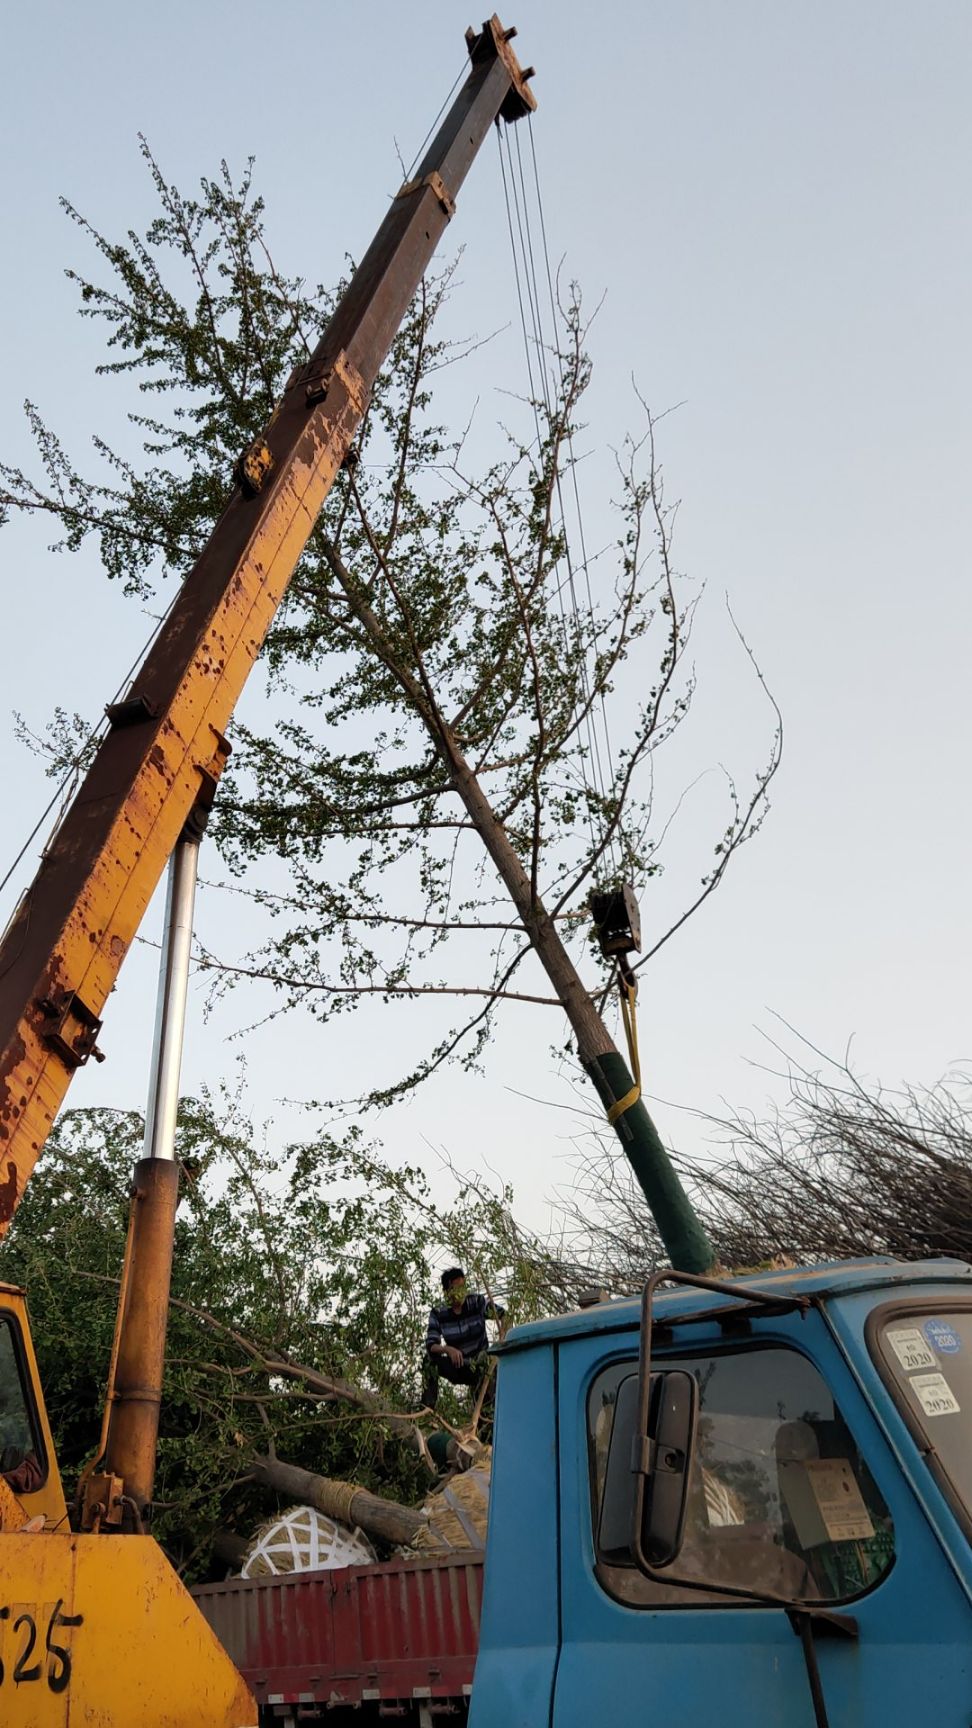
column 395, row 1641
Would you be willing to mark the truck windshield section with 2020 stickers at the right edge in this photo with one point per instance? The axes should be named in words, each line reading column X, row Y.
column 930, row 1363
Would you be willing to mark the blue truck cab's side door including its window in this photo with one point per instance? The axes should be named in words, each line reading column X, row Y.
column 795, row 1492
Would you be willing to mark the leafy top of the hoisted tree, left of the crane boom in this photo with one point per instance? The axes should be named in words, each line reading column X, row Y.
column 208, row 350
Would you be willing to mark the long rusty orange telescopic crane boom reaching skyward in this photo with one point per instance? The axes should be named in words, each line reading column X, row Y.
column 165, row 749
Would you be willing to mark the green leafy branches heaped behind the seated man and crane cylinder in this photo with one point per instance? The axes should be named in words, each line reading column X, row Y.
column 323, row 1259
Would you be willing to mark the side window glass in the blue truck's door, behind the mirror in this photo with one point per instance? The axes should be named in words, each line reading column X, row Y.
column 781, row 1499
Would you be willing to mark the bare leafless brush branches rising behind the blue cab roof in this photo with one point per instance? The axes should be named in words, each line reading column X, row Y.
column 841, row 1171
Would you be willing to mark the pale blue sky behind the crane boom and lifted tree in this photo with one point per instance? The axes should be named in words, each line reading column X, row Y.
column 774, row 201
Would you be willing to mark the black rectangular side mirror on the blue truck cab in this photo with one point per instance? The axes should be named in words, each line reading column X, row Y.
column 643, row 1516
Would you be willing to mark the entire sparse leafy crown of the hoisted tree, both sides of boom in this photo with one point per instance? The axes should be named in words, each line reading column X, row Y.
column 440, row 642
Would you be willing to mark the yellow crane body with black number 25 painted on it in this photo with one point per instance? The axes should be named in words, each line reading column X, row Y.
column 94, row 1629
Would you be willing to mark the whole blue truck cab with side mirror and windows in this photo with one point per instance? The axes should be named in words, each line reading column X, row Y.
column 822, row 1570
